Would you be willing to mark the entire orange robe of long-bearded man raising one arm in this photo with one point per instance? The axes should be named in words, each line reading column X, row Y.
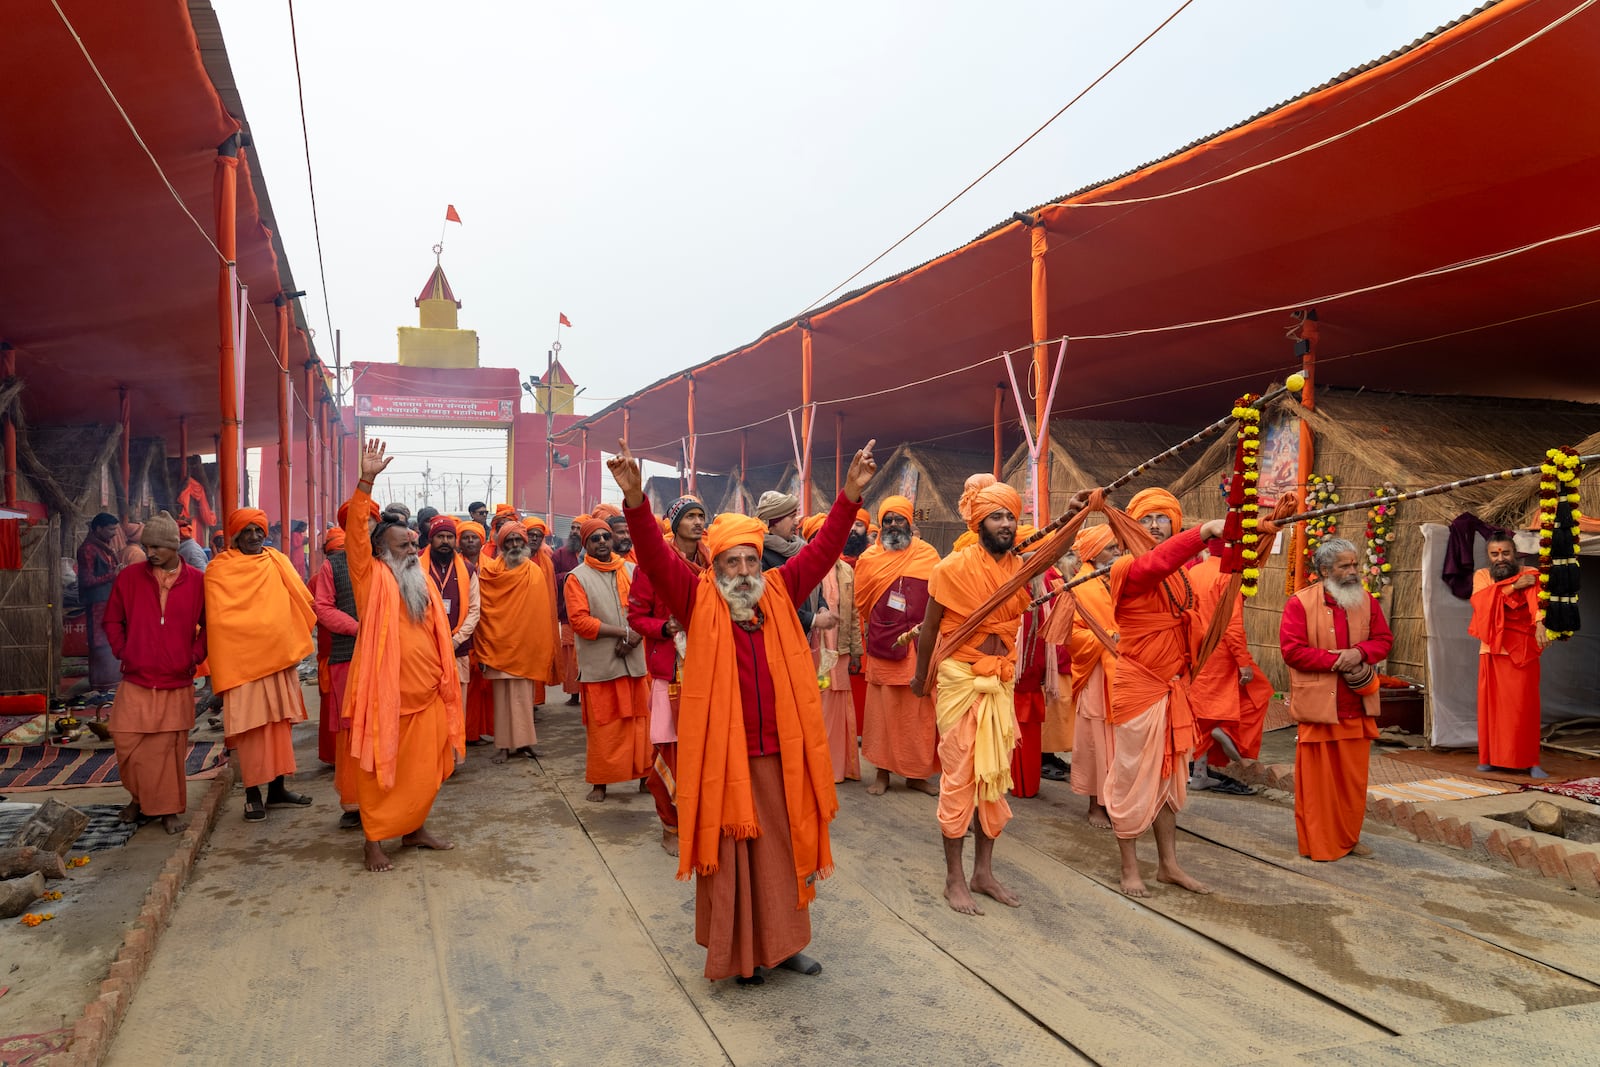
column 404, row 698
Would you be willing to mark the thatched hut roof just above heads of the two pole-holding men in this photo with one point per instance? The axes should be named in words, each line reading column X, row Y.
column 1086, row 454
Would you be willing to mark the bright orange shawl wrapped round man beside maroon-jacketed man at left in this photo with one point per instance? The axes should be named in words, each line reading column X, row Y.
column 258, row 617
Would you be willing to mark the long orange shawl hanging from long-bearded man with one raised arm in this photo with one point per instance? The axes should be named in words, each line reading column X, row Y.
column 372, row 700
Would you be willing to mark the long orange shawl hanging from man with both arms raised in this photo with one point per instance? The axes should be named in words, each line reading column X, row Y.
column 714, row 770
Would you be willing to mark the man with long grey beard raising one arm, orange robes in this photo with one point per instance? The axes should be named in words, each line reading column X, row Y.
column 404, row 695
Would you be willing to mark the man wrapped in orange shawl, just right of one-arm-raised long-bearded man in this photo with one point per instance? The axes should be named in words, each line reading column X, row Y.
column 516, row 639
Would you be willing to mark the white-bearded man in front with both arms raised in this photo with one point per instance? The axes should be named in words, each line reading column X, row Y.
column 756, row 775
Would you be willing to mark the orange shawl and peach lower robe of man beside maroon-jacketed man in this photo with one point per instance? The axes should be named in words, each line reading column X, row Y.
column 260, row 618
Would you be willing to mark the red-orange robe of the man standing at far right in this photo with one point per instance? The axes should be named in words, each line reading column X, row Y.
column 1506, row 623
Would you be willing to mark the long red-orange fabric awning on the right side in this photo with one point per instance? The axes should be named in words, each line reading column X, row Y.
column 1358, row 183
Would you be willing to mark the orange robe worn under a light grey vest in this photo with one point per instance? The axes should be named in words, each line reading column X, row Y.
column 617, row 713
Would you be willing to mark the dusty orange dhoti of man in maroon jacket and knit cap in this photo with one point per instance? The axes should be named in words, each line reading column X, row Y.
column 151, row 732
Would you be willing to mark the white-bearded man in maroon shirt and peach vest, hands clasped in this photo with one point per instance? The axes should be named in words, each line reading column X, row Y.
column 1334, row 636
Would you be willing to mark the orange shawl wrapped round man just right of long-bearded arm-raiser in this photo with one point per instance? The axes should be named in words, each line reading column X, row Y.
column 518, row 620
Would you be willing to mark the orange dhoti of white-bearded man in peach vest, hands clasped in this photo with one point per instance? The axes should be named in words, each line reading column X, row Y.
column 1330, row 785
